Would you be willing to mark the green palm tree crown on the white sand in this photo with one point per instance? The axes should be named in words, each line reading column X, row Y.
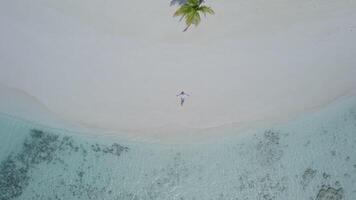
column 191, row 11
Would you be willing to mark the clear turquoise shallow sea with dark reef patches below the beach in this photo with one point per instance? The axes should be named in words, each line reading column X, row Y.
column 313, row 157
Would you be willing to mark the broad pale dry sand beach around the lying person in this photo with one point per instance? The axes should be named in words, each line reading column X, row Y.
column 117, row 65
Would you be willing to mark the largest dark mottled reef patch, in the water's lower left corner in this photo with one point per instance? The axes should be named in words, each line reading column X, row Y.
column 47, row 148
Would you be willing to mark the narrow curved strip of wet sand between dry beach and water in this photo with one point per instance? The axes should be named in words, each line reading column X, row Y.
column 18, row 105
